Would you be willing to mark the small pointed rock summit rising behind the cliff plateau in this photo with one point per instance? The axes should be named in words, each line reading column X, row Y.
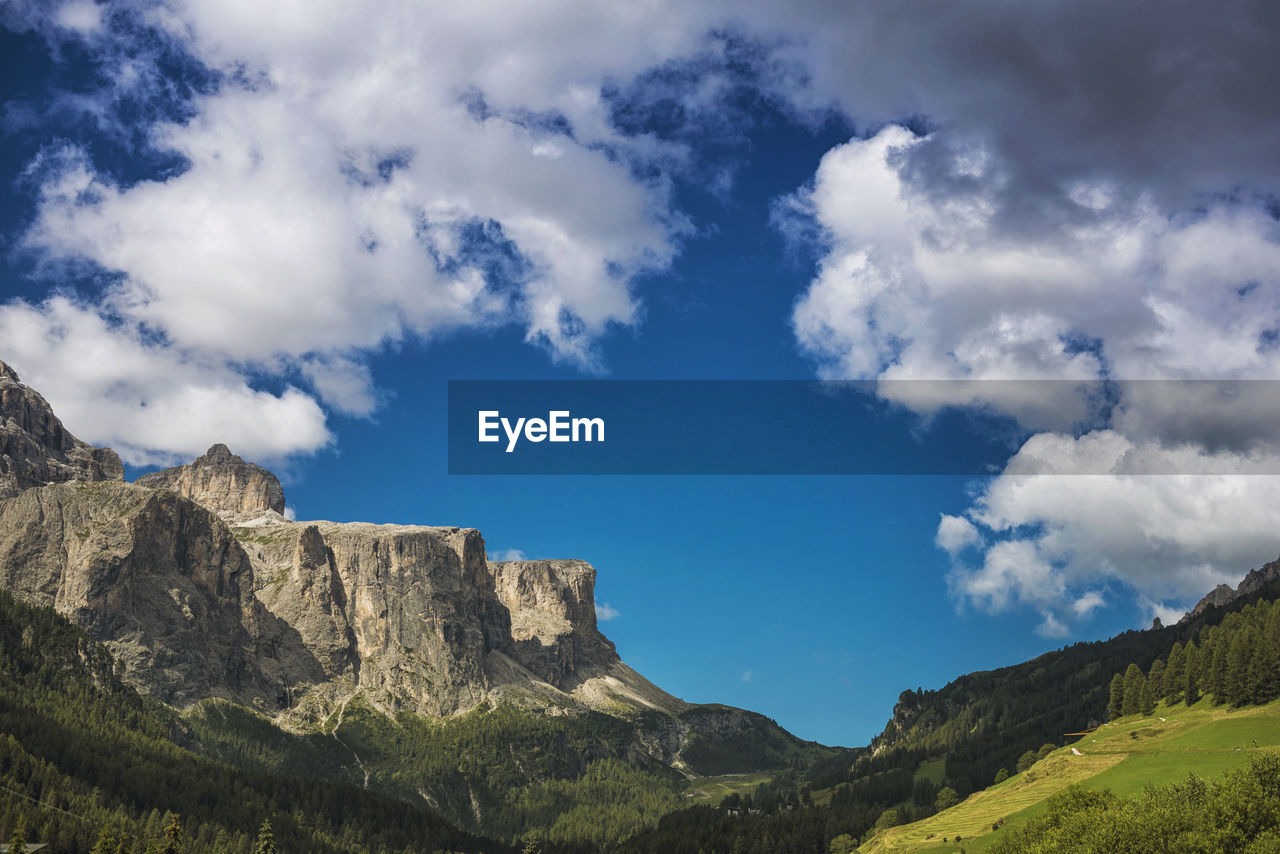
column 223, row 483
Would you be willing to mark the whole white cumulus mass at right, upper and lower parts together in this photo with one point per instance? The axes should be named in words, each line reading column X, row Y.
column 1107, row 337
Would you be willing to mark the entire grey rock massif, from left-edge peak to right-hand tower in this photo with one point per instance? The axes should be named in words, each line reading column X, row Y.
column 202, row 588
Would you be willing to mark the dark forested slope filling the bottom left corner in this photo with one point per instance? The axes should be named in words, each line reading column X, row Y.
column 80, row 751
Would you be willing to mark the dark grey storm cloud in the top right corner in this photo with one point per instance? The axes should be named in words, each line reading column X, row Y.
column 1173, row 99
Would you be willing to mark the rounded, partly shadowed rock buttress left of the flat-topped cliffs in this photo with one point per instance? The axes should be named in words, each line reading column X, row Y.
column 162, row 582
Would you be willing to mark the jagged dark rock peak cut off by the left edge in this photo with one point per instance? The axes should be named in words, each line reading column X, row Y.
column 38, row 450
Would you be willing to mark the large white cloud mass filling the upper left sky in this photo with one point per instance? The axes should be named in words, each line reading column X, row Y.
column 348, row 179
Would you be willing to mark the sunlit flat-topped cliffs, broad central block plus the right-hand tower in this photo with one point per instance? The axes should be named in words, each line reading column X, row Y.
column 417, row 619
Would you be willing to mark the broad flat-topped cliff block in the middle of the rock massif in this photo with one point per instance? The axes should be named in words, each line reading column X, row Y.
column 401, row 613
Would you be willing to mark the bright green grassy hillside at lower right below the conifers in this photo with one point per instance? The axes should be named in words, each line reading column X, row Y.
column 1124, row 757
